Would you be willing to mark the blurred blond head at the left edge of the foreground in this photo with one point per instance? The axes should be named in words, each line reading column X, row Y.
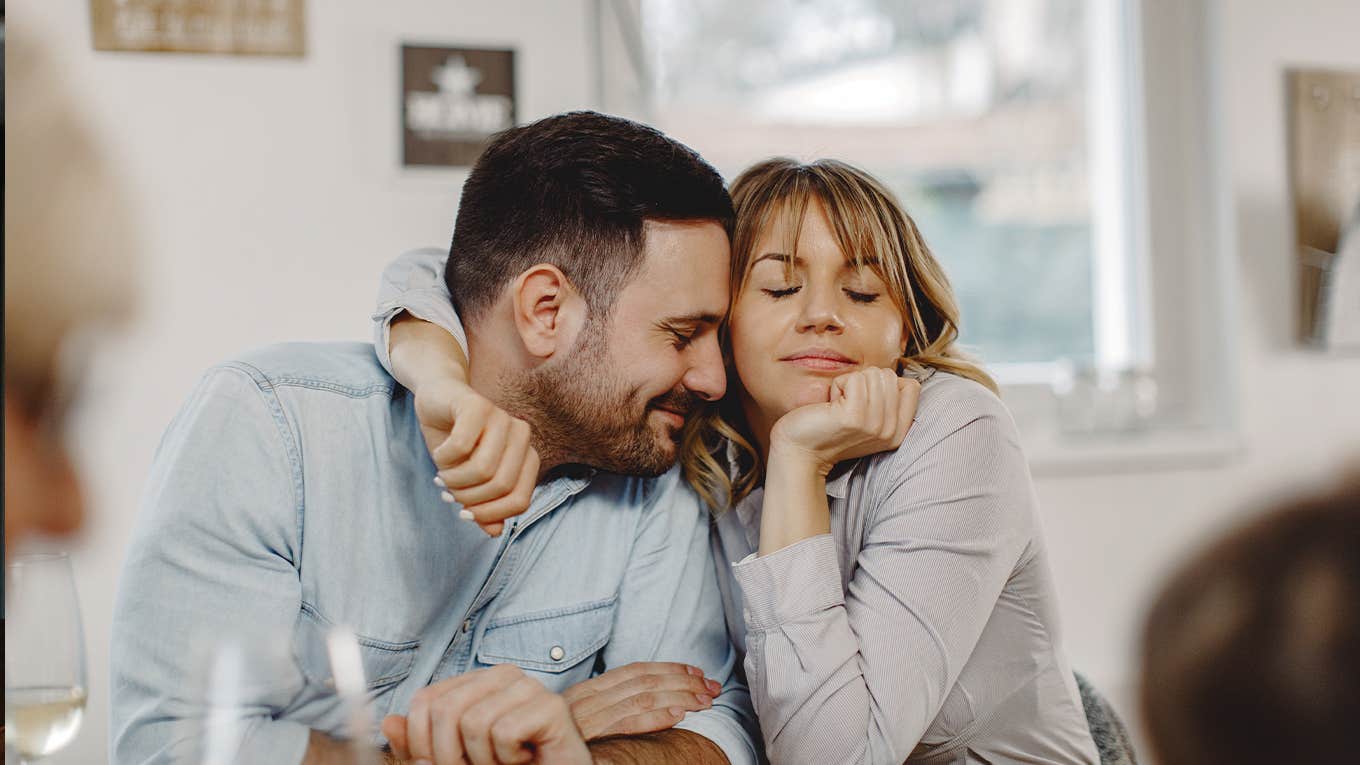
column 67, row 253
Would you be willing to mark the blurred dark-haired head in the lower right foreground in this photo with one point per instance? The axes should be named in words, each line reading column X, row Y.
column 1253, row 651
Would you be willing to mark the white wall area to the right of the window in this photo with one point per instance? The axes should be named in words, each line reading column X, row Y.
column 1116, row 536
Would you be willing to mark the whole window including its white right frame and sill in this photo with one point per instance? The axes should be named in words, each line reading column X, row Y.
column 1014, row 131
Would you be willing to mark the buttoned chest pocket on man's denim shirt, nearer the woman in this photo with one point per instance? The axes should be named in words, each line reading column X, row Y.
column 554, row 640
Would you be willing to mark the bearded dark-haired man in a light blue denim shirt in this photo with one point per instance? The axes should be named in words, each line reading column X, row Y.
column 294, row 493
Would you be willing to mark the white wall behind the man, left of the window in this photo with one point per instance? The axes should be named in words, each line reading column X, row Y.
column 273, row 199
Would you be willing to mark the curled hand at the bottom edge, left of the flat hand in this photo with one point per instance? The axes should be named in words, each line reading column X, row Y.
column 488, row 718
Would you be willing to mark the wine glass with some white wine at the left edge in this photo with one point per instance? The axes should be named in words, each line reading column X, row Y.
column 44, row 657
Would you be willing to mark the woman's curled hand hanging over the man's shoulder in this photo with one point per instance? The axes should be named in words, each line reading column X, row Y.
column 483, row 455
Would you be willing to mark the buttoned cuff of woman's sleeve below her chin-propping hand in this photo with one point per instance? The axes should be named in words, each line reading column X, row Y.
column 794, row 583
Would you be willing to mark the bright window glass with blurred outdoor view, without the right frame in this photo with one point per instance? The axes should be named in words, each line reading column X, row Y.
column 979, row 114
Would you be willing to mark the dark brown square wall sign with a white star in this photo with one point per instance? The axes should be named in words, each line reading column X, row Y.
column 454, row 100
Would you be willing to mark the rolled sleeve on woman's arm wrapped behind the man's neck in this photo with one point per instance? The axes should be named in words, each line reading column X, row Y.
column 414, row 284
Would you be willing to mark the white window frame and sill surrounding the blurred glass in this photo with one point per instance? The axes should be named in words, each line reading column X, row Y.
column 1162, row 295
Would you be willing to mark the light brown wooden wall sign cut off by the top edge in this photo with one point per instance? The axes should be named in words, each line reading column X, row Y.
column 237, row 28
